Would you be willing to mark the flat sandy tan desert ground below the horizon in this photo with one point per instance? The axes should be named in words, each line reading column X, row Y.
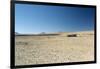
column 54, row 49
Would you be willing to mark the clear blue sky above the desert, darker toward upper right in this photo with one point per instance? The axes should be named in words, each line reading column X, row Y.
column 43, row 18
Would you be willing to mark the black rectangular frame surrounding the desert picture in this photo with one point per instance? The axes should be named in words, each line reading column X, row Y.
column 12, row 37
